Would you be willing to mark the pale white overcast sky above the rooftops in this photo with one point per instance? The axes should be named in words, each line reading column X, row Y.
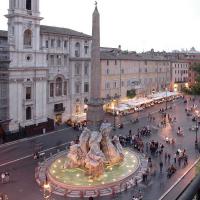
column 136, row 25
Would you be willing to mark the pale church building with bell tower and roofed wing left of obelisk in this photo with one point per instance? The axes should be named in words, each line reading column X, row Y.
column 49, row 70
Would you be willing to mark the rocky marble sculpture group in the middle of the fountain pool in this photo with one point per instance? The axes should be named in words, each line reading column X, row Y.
column 94, row 151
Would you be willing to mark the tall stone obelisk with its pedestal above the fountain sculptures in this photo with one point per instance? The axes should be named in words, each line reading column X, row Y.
column 95, row 114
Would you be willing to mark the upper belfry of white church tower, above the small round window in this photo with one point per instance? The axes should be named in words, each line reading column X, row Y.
column 24, row 24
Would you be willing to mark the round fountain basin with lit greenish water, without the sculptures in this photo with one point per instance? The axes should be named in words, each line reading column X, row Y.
column 75, row 183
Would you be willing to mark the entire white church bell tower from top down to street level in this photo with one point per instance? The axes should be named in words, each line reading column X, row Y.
column 27, row 70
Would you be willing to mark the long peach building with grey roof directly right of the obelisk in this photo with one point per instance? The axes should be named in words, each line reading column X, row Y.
column 123, row 72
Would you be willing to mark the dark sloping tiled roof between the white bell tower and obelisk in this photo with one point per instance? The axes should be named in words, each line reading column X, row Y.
column 62, row 31
